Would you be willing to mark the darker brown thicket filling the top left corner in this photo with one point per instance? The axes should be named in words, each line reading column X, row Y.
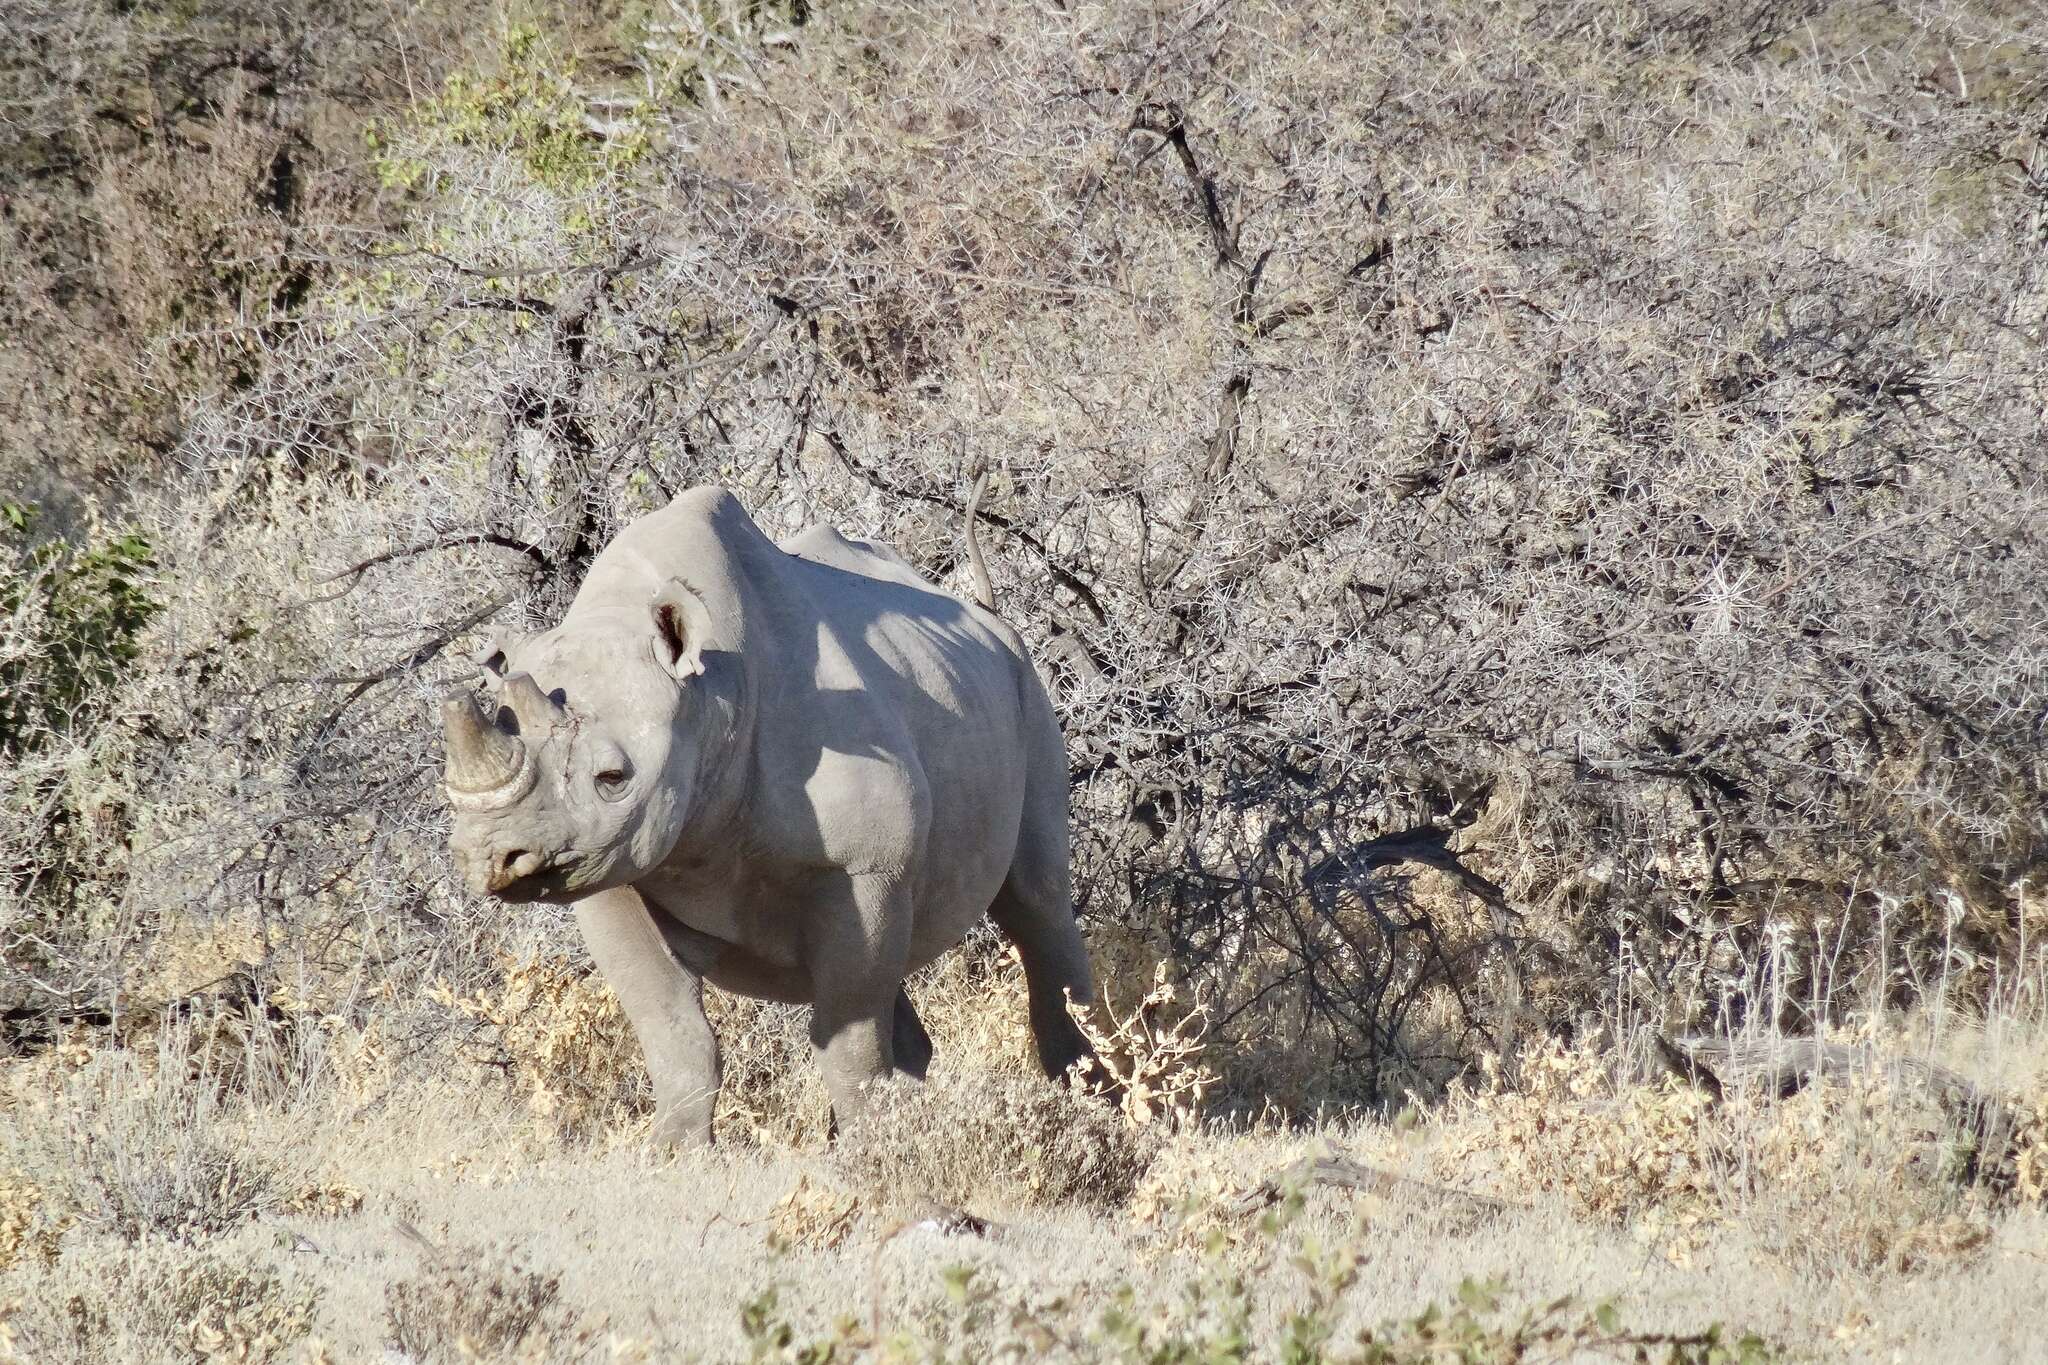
column 169, row 181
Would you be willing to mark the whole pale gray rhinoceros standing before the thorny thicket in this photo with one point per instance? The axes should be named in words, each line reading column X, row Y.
column 794, row 770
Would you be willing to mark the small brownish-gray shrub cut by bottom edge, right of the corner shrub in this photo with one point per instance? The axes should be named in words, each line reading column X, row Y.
column 480, row 1303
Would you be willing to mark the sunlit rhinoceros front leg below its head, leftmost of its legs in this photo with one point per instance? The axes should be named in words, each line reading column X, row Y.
column 665, row 1002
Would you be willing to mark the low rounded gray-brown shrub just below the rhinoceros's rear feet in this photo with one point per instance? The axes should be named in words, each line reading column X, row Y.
column 970, row 1139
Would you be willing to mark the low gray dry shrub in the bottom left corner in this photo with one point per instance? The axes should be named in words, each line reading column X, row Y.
column 159, row 1303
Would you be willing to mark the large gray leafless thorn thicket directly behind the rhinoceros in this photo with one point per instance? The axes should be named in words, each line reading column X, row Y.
column 1533, row 511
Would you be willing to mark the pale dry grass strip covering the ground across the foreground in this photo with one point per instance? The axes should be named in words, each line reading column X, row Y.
column 1828, row 1223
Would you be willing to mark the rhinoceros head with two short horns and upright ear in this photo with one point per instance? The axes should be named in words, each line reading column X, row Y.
column 581, row 770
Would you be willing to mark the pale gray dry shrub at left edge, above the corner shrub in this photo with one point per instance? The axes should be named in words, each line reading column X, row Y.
column 138, row 1149
